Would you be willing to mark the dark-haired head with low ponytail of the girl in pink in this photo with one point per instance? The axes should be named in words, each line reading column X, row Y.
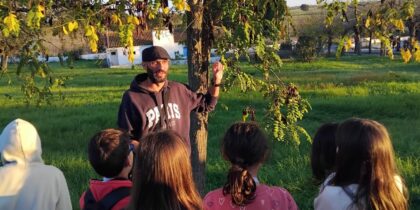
column 245, row 146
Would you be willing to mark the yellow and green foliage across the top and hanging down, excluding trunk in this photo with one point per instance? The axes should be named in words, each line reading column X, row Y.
column 235, row 27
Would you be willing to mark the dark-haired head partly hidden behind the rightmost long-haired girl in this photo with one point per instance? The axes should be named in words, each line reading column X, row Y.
column 323, row 151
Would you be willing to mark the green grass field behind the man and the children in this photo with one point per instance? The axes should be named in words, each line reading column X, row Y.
column 368, row 87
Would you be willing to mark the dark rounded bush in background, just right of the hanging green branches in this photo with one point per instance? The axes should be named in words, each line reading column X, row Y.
column 306, row 48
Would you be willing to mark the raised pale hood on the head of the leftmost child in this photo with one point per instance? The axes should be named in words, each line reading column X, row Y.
column 20, row 143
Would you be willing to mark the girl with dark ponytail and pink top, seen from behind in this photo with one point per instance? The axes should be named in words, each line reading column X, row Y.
column 245, row 146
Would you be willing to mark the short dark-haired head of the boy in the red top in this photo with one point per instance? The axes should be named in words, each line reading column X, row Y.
column 109, row 152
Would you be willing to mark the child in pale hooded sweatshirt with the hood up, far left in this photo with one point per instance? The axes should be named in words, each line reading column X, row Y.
column 26, row 182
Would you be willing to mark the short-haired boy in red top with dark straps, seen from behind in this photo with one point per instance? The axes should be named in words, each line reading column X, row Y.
column 111, row 155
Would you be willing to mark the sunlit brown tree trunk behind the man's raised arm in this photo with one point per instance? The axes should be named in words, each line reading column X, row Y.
column 198, row 43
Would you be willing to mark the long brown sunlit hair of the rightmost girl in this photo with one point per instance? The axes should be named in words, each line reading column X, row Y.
column 366, row 157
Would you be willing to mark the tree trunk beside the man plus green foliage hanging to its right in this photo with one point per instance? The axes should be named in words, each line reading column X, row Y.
column 236, row 26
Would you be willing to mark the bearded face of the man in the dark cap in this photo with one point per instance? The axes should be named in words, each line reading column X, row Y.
column 157, row 70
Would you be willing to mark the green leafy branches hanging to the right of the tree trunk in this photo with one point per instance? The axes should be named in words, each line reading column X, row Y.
column 239, row 26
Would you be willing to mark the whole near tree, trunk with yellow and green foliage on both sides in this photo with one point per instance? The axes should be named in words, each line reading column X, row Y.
column 230, row 26
